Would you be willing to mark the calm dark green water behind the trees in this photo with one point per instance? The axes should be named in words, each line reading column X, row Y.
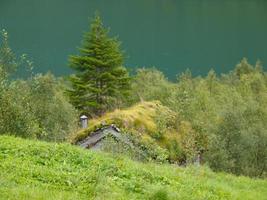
column 170, row 34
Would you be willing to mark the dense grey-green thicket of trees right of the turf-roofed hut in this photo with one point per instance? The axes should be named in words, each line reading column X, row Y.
column 222, row 118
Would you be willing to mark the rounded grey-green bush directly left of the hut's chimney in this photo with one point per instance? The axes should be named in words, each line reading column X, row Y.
column 55, row 115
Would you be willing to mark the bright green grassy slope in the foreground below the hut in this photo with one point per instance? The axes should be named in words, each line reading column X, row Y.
column 40, row 170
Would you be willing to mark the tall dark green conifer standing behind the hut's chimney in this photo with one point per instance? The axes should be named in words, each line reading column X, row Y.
column 101, row 78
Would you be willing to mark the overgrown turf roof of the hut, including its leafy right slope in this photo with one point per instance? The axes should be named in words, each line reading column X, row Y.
column 143, row 123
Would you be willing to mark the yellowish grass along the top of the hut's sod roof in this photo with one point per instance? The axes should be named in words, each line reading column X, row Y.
column 140, row 118
